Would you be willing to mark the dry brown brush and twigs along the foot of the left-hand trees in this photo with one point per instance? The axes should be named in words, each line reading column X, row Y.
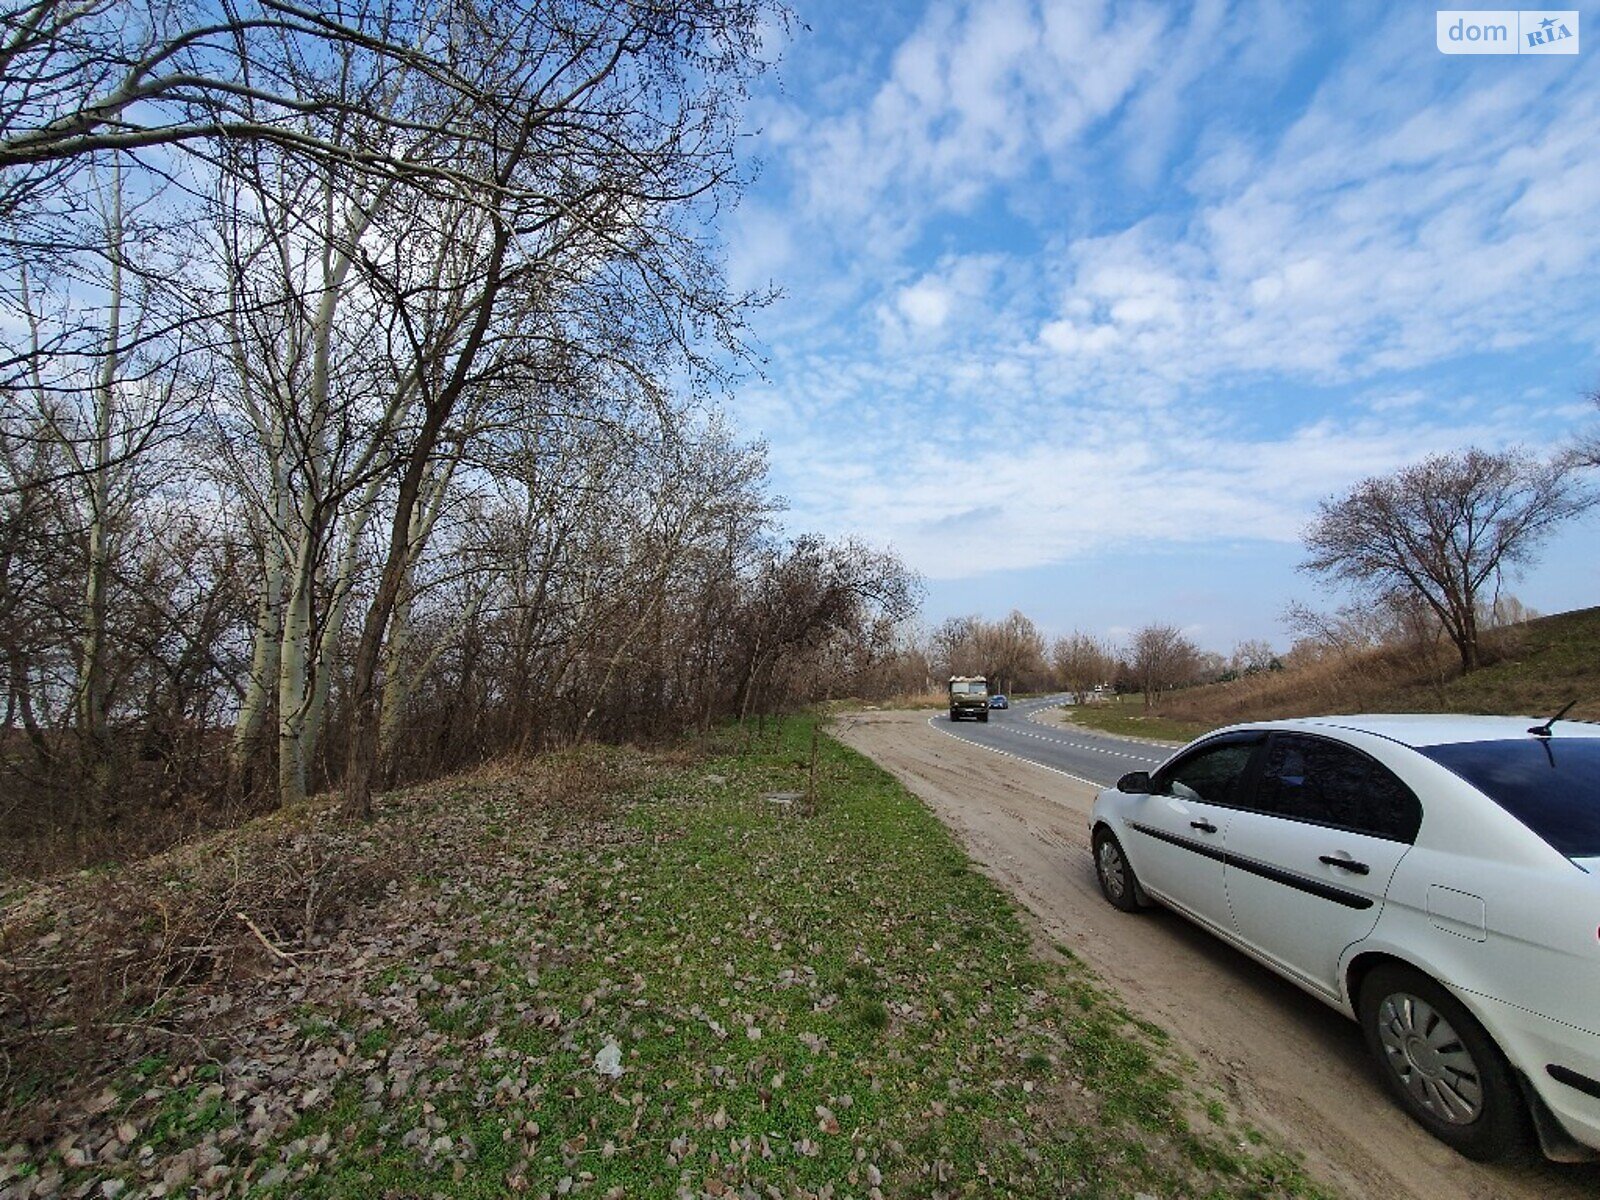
column 102, row 966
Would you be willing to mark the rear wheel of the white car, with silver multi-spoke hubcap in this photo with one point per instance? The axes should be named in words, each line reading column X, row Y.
column 1442, row 1066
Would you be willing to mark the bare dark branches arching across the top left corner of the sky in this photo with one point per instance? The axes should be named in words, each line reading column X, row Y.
column 126, row 78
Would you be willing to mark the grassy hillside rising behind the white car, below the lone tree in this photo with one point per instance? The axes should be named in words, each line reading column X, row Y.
column 1532, row 670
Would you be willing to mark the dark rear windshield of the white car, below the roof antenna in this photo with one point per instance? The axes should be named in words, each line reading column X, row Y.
column 1550, row 785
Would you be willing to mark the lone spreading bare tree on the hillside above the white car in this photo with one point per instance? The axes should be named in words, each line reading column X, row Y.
column 1446, row 532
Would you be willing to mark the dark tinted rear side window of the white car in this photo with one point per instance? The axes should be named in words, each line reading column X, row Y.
column 1332, row 785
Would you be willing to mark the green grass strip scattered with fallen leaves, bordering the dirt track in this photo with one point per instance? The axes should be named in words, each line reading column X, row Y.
column 801, row 1002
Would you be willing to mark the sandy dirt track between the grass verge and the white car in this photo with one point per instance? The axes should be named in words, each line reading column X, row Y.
column 1290, row 1065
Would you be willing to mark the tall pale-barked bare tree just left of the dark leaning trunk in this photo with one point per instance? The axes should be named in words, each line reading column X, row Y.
column 306, row 422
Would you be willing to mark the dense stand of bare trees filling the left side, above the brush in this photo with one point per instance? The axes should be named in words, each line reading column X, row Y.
column 438, row 369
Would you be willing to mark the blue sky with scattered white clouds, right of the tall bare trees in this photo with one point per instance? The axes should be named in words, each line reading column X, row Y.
column 1089, row 305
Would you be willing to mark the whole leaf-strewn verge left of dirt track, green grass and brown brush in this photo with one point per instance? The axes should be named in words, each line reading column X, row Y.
column 721, row 970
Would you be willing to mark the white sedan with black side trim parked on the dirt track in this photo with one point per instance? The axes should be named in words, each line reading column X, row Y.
column 1436, row 878
